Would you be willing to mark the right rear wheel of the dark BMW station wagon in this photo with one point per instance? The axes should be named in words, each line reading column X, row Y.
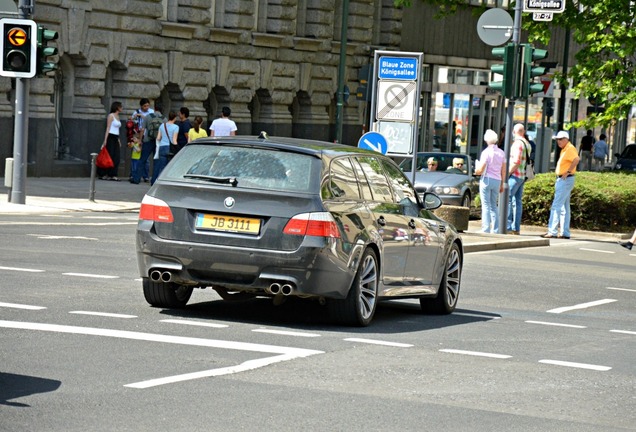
column 359, row 306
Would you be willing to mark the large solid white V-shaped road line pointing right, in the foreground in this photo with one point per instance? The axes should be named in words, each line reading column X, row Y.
column 283, row 353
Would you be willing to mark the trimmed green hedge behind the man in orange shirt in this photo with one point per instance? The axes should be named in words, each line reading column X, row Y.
column 600, row 201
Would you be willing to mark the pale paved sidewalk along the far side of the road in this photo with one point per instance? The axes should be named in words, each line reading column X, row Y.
column 58, row 195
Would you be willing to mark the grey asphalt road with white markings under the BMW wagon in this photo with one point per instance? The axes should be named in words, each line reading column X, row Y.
column 544, row 340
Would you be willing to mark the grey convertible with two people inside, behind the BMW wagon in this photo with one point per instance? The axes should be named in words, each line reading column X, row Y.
column 454, row 187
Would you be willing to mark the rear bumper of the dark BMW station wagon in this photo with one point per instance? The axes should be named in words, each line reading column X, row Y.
column 317, row 268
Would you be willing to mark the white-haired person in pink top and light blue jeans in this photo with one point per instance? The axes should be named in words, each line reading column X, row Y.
column 491, row 166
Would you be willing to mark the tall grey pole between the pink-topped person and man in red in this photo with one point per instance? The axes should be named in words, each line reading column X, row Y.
column 505, row 193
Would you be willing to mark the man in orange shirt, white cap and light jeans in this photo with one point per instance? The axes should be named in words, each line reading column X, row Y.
column 565, row 171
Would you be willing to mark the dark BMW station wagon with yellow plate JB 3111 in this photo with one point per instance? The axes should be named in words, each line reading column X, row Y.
column 278, row 217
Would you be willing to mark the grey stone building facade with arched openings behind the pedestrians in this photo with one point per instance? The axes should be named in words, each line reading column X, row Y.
column 274, row 62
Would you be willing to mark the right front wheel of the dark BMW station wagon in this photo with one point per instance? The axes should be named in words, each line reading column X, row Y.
column 448, row 294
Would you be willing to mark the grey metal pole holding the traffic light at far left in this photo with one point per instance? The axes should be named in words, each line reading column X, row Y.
column 20, row 135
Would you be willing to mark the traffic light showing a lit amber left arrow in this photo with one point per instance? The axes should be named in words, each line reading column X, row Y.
column 18, row 48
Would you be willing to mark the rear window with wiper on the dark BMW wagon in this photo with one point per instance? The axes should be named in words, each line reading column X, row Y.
column 252, row 168
